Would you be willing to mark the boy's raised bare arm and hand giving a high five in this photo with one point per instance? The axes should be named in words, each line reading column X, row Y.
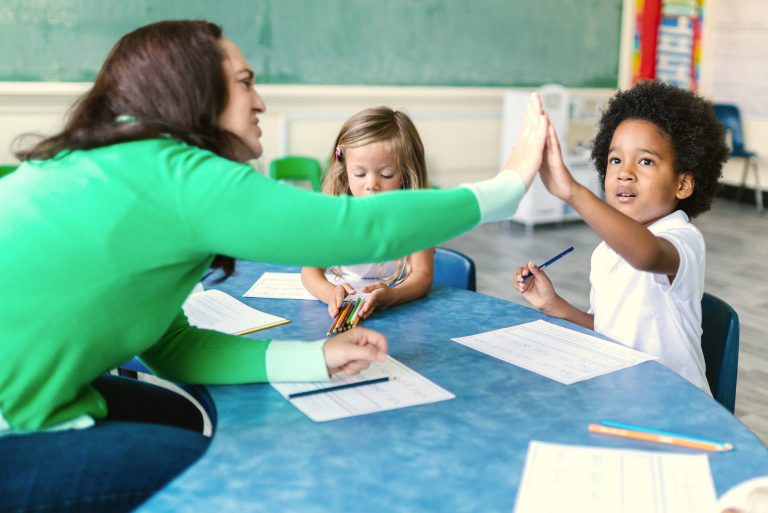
column 633, row 241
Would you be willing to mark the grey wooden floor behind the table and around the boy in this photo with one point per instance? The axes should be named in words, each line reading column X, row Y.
column 737, row 272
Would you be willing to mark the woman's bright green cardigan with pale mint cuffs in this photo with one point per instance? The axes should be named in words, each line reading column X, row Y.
column 101, row 247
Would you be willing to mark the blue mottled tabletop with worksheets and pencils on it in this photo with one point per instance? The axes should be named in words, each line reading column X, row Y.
column 464, row 454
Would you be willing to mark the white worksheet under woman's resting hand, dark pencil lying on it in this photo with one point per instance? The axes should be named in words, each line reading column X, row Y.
column 404, row 388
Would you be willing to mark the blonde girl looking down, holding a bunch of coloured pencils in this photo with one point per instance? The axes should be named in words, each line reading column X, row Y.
column 377, row 150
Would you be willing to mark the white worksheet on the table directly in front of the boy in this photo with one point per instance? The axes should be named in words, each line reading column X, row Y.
column 559, row 353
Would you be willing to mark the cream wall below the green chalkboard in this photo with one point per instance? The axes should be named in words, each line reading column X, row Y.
column 460, row 127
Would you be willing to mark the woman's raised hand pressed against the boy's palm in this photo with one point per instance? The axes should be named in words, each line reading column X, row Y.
column 527, row 155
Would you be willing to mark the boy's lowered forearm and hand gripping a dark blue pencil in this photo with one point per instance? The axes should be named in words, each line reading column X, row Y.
column 539, row 291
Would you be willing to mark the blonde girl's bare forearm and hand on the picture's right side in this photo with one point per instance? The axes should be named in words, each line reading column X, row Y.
column 415, row 285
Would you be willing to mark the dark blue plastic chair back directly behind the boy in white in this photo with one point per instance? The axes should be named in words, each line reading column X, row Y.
column 720, row 344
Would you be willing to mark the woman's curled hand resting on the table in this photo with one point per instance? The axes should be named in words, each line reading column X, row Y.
column 354, row 350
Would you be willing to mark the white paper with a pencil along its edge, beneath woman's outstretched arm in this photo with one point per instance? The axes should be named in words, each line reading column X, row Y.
column 216, row 310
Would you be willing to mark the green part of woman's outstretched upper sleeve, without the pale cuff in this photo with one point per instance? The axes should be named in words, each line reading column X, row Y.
column 233, row 210
